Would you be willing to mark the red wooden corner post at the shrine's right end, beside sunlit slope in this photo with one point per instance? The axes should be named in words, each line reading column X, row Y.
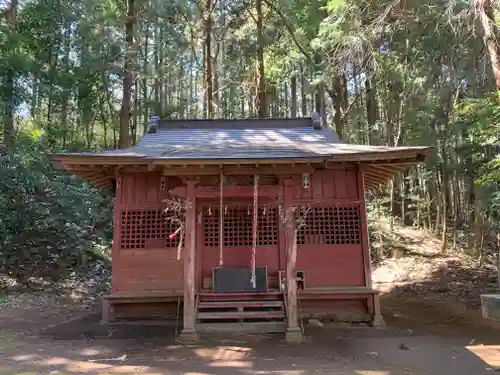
column 377, row 319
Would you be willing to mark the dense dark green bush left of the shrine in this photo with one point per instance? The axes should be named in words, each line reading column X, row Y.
column 50, row 220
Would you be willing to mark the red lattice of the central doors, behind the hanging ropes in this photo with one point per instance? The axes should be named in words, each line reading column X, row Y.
column 238, row 227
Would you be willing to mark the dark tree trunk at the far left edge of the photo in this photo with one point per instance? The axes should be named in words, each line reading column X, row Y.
column 9, row 104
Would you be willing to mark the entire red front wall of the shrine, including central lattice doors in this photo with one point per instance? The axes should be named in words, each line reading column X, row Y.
column 330, row 245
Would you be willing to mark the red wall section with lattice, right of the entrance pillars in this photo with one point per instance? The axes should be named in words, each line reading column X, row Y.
column 329, row 246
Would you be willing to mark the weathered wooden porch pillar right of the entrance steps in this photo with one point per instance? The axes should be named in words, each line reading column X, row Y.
column 293, row 331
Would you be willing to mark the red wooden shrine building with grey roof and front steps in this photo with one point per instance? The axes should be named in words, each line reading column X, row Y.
column 241, row 223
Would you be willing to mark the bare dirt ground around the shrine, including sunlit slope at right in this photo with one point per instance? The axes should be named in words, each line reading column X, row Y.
column 430, row 303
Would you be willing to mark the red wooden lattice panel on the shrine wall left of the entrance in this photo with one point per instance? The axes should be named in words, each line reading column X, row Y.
column 140, row 229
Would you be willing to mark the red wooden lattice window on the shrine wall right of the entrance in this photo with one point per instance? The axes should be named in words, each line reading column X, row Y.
column 331, row 225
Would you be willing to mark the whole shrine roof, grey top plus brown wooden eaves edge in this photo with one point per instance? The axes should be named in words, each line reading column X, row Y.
column 243, row 141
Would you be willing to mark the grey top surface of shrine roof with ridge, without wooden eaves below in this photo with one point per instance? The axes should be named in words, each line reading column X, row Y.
column 260, row 139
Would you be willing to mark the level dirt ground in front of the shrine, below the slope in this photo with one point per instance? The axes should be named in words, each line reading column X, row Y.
column 423, row 337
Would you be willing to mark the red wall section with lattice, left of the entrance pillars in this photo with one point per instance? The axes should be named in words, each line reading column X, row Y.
column 145, row 259
